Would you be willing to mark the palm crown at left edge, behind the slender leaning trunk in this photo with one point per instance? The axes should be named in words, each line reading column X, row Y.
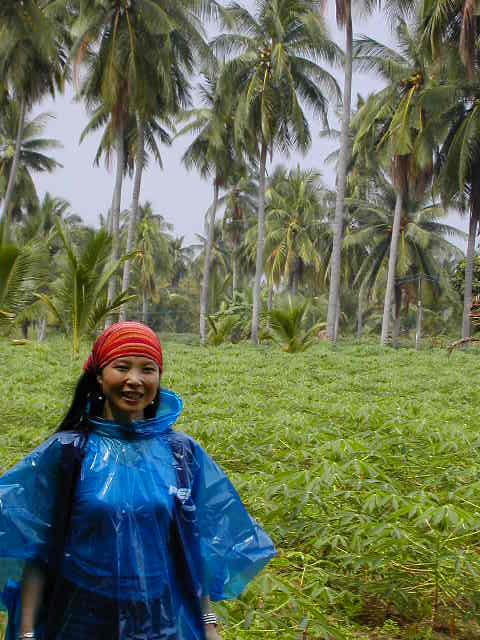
column 32, row 156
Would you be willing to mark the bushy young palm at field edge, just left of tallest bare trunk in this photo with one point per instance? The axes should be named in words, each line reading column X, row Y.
column 288, row 325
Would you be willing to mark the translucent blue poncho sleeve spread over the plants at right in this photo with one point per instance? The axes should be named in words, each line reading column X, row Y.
column 233, row 546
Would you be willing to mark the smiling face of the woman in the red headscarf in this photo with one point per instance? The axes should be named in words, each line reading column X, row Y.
column 129, row 384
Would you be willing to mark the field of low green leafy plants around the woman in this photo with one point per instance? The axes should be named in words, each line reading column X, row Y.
column 363, row 465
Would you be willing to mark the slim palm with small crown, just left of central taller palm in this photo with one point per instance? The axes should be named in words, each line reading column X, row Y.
column 213, row 154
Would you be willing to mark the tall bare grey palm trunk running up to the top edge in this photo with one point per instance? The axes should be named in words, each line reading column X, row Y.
column 334, row 291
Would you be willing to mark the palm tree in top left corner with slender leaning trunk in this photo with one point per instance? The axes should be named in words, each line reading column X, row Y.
column 33, row 62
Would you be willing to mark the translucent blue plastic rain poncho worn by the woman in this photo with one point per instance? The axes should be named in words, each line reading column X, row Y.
column 155, row 525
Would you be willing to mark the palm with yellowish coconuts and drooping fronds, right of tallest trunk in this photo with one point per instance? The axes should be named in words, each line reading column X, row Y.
column 395, row 123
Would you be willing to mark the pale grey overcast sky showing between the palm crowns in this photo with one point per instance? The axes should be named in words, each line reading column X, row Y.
column 180, row 196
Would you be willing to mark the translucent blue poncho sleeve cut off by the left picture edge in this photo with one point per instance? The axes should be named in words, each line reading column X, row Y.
column 28, row 494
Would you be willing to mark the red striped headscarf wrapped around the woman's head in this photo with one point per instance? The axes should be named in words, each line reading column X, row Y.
column 124, row 339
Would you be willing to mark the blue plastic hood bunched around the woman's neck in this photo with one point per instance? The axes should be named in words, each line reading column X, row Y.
column 169, row 410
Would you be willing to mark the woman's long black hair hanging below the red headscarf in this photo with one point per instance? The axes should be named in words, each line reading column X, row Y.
column 88, row 401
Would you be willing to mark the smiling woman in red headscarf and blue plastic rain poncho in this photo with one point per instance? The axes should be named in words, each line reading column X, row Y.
column 117, row 527
